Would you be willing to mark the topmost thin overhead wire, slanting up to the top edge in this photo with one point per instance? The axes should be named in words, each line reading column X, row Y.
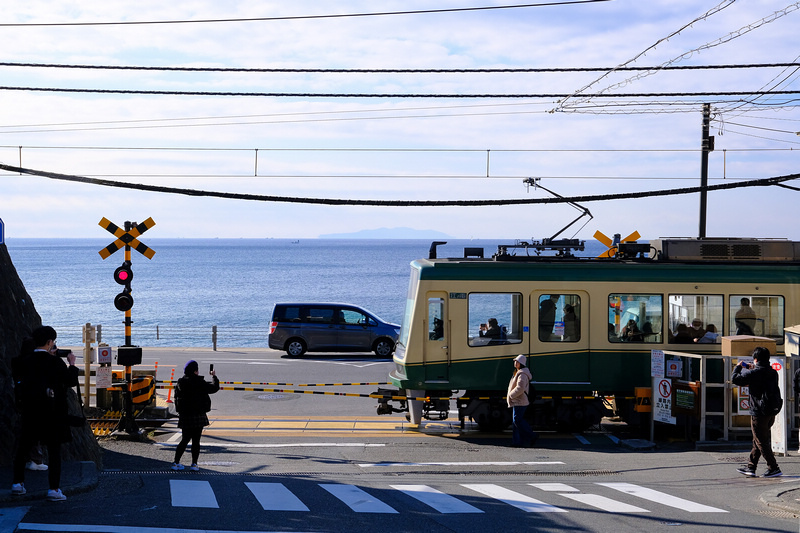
column 304, row 17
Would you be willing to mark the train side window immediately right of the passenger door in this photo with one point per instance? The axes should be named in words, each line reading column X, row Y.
column 635, row 318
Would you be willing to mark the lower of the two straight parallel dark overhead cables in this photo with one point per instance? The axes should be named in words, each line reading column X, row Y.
column 391, row 95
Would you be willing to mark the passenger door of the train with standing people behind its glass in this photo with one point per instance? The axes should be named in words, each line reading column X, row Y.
column 559, row 334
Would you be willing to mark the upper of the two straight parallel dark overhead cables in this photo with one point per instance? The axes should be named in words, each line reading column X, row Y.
column 543, row 70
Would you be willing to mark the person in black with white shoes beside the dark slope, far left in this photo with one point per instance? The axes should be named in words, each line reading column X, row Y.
column 41, row 382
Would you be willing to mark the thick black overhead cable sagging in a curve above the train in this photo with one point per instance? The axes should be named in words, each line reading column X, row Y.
column 397, row 203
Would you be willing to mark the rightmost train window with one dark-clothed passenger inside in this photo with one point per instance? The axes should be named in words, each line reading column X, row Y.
column 758, row 315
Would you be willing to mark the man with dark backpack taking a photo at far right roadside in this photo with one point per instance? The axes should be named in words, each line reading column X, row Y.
column 763, row 382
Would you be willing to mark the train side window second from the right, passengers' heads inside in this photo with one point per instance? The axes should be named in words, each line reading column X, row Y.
column 695, row 318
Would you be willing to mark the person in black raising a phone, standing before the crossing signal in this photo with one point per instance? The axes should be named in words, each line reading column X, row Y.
column 192, row 402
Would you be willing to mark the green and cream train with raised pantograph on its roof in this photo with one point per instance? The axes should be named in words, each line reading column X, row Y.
column 587, row 324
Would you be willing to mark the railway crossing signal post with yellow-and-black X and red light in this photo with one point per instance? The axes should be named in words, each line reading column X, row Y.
column 128, row 354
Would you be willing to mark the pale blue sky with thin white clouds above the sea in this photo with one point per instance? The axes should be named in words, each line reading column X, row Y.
column 317, row 135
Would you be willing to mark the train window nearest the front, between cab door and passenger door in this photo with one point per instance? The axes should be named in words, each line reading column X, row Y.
column 494, row 318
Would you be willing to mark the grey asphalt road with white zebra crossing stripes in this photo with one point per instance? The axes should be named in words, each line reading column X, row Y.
column 323, row 463
